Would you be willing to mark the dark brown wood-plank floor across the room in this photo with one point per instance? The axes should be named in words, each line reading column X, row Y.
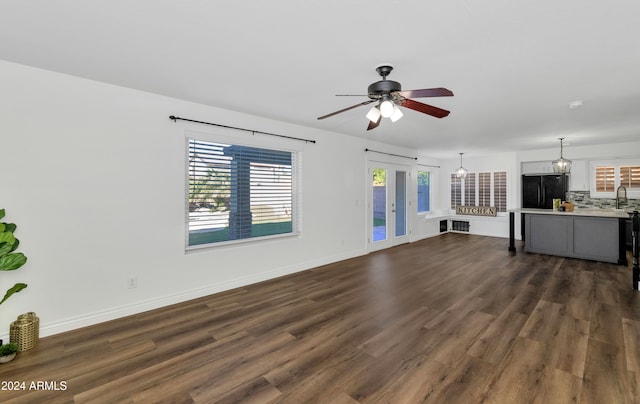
column 450, row 319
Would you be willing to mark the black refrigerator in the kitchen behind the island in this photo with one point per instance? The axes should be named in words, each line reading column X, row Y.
column 539, row 191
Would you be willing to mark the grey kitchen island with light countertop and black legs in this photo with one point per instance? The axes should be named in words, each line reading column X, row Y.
column 593, row 234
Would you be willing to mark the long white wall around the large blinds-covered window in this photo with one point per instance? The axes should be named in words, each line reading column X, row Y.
column 94, row 177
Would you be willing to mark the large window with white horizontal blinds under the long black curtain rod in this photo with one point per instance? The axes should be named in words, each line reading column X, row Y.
column 239, row 192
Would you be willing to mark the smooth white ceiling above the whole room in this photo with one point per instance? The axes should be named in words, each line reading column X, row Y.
column 513, row 66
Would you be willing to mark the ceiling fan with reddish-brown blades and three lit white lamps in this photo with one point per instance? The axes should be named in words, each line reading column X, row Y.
column 389, row 95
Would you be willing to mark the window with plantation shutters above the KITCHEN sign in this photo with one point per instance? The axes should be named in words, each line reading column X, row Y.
column 478, row 190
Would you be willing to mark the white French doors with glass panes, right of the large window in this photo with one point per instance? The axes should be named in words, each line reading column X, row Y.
column 387, row 205
